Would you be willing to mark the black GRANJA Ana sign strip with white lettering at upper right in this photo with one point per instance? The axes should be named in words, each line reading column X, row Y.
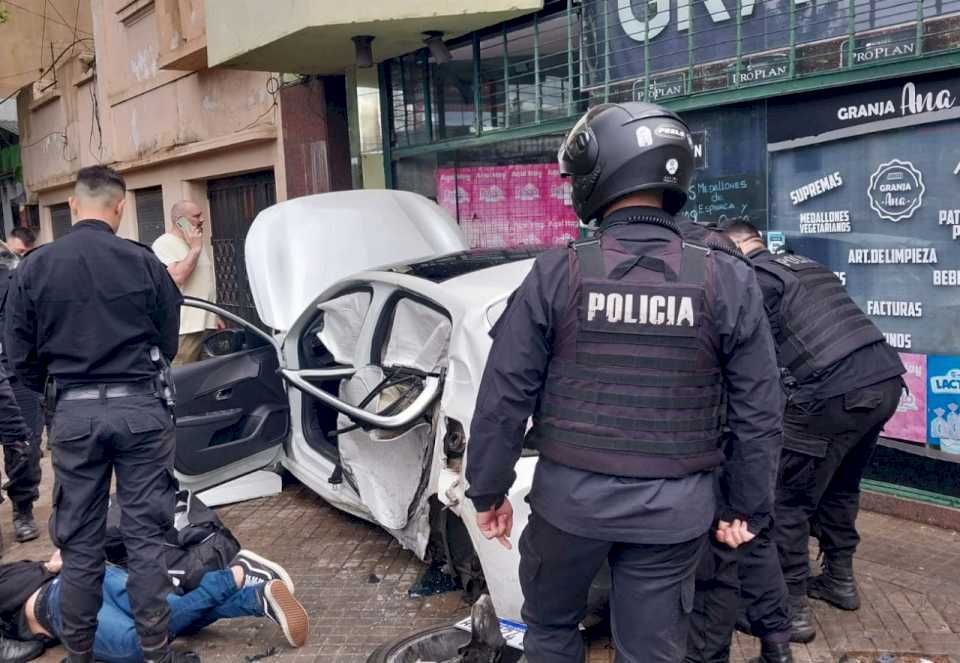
column 789, row 120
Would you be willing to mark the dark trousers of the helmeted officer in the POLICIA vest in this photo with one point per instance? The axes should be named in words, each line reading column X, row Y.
column 650, row 598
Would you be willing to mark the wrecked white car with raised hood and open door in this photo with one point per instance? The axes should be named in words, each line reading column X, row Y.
column 366, row 388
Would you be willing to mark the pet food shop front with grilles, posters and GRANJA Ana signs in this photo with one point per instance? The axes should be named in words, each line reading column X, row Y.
column 831, row 126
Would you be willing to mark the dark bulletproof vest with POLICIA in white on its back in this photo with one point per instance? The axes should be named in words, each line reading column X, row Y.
column 634, row 386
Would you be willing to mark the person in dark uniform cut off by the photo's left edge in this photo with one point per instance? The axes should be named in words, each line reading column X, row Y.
column 22, row 452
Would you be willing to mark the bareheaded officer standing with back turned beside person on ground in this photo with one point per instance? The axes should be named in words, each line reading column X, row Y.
column 90, row 315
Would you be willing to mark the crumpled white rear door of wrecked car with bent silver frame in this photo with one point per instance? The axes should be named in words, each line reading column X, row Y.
column 384, row 409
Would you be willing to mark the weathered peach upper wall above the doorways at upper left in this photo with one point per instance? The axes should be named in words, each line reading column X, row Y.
column 172, row 128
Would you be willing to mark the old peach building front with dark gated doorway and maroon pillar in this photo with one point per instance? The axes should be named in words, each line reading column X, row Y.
column 140, row 97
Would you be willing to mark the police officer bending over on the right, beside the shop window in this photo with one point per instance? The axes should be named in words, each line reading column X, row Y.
column 844, row 382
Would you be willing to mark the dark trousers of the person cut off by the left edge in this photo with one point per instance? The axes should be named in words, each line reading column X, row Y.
column 21, row 462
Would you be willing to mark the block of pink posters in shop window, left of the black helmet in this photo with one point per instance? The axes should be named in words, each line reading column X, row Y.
column 517, row 205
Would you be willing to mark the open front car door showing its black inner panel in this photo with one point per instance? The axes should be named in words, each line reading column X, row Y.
column 232, row 411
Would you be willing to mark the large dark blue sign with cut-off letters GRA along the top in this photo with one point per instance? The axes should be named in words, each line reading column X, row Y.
column 618, row 35
